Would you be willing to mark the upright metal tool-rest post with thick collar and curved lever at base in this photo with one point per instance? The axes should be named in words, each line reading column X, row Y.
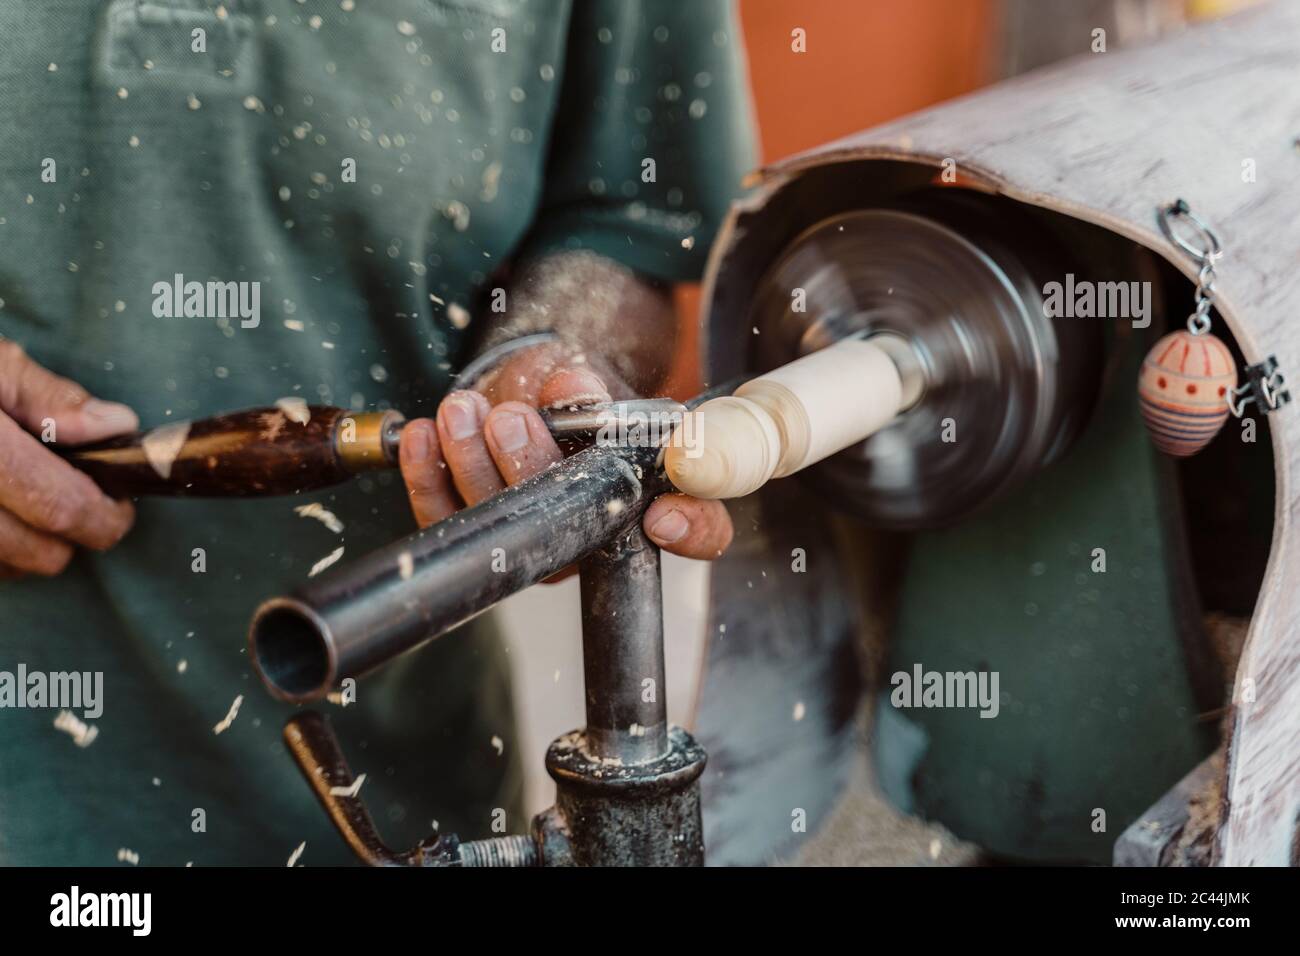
column 627, row 785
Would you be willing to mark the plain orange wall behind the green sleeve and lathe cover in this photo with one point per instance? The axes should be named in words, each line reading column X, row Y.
column 866, row 63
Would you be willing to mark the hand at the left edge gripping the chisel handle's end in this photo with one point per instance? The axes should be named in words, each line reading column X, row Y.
column 47, row 507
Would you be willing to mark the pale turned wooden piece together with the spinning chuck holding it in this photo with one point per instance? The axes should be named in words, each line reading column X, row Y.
column 909, row 367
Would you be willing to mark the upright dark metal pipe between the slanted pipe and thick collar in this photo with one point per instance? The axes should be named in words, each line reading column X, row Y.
column 627, row 719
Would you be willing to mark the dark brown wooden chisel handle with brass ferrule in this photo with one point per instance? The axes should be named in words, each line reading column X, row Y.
column 259, row 452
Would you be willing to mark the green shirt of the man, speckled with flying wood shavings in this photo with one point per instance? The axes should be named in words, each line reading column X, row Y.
column 218, row 142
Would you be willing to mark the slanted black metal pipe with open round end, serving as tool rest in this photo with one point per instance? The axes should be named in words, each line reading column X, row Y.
column 354, row 618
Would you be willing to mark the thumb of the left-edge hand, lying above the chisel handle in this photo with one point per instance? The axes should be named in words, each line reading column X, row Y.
column 53, row 408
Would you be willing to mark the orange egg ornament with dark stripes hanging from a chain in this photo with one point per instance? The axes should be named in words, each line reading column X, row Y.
column 1184, row 388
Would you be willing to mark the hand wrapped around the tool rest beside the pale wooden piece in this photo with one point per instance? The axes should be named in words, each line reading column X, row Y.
column 493, row 438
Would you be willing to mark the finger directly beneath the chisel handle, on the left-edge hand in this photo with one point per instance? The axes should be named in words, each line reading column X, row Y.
column 51, row 496
